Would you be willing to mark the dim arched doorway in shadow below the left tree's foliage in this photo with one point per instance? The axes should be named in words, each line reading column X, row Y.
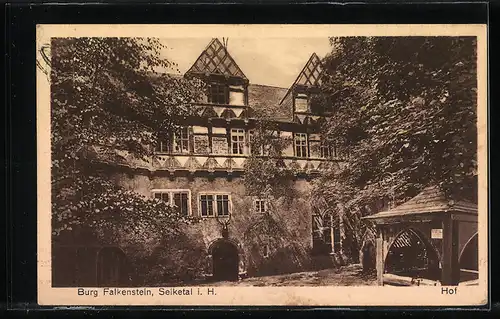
column 112, row 267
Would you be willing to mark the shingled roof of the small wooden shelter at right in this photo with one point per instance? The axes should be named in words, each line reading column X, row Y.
column 430, row 200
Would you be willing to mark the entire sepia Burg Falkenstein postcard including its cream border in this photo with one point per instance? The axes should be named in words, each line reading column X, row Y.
column 238, row 157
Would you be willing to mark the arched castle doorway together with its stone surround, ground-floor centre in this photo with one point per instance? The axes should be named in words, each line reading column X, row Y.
column 226, row 259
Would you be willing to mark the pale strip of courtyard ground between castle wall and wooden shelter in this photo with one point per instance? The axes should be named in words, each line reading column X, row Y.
column 350, row 275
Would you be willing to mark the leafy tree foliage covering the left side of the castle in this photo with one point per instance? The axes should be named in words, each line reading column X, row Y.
column 107, row 92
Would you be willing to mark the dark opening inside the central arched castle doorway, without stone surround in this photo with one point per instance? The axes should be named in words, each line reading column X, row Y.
column 225, row 261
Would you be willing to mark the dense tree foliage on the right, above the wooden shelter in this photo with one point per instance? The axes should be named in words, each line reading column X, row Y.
column 405, row 107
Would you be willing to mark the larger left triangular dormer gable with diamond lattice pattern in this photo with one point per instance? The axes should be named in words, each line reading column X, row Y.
column 215, row 59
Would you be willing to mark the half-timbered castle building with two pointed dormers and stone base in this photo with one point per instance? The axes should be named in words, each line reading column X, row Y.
column 200, row 170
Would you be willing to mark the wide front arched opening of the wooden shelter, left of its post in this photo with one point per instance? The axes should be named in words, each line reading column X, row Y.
column 412, row 256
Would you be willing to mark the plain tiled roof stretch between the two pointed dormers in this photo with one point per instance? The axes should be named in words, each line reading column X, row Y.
column 266, row 99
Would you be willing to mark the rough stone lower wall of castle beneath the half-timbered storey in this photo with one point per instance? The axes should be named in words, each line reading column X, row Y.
column 279, row 242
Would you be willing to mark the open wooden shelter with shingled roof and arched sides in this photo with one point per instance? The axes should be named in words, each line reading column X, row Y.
column 423, row 241
